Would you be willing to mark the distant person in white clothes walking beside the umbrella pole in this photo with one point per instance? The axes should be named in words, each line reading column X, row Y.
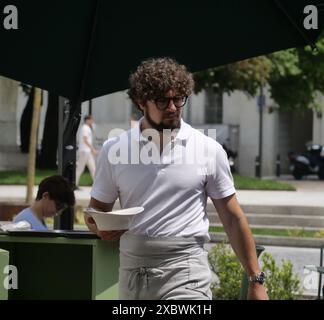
column 86, row 151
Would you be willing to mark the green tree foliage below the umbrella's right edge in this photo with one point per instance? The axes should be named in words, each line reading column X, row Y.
column 295, row 77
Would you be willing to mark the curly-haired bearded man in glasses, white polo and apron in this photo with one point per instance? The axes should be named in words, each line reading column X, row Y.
column 162, row 254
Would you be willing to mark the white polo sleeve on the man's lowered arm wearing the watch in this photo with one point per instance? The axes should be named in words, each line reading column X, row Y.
column 219, row 177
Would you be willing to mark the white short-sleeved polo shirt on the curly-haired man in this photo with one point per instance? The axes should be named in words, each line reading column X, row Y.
column 172, row 187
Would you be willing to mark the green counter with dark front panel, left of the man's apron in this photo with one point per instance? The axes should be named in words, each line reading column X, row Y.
column 62, row 267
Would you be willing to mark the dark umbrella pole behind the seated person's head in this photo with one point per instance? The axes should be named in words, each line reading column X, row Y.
column 69, row 119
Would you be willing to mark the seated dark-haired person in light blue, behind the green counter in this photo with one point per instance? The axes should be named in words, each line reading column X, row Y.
column 53, row 197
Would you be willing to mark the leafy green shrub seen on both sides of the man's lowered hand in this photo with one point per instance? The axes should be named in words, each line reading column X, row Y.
column 281, row 282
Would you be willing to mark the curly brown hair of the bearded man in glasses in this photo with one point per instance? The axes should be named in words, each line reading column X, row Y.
column 156, row 76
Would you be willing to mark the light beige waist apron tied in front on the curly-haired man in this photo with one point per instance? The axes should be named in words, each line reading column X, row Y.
column 163, row 268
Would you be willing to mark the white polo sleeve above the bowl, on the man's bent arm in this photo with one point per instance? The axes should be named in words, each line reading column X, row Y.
column 104, row 187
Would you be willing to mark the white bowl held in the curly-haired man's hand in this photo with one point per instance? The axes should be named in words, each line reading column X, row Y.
column 113, row 220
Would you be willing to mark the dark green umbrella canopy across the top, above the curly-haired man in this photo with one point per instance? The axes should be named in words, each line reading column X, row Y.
column 86, row 48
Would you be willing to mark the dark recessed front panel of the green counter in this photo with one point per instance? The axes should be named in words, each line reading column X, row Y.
column 51, row 271
